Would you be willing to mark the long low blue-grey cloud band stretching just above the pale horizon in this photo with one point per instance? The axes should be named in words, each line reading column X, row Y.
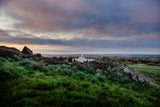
column 149, row 41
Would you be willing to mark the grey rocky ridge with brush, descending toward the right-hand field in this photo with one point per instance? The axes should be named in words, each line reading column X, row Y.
column 124, row 70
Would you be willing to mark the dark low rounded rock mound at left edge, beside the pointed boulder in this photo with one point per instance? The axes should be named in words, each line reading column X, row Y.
column 9, row 52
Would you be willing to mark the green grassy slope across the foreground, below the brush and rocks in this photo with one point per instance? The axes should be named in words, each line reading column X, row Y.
column 27, row 83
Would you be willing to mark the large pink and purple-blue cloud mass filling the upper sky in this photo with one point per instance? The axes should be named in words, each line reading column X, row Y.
column 140, row 16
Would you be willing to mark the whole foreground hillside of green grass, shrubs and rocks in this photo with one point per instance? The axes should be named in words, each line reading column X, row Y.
column 40, row 81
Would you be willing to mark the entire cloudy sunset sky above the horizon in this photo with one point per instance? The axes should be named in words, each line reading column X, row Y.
column 81, row 26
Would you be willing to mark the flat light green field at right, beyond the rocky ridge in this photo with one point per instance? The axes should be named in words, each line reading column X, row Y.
column 150, row 71
